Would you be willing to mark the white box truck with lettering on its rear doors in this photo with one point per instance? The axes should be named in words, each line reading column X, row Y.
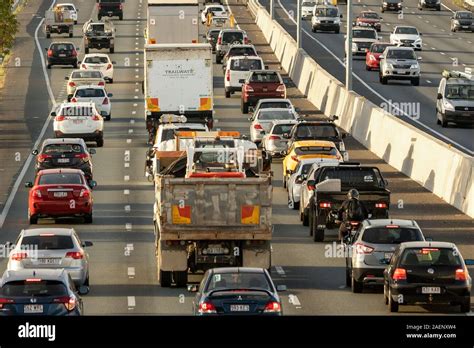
column 179, row 81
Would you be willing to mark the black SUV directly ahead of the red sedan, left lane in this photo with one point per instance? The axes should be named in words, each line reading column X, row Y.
column 64, row 153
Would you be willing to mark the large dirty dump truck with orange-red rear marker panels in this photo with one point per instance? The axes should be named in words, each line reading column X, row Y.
column 214, row 216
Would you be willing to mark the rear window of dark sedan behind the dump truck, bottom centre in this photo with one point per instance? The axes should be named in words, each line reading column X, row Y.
column 239, row 281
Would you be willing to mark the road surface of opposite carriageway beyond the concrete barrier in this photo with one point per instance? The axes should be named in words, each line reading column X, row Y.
column 442, row 49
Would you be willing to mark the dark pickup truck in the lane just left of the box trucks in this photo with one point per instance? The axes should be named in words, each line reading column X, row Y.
column 99, row 35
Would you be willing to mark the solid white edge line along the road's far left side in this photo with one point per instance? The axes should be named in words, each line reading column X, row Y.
column 27, row 163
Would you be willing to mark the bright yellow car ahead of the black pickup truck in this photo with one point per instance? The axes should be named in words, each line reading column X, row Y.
column 308, row 149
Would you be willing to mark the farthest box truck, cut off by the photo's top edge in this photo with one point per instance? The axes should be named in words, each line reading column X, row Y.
column 172, row 21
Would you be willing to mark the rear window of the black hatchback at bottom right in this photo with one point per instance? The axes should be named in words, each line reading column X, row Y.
column 430, row 257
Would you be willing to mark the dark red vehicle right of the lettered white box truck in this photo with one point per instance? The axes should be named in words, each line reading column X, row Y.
column 261, row 84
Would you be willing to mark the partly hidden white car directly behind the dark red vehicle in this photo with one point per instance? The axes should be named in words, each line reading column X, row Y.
column 262, row 121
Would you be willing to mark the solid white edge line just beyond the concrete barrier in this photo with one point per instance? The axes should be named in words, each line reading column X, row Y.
column 401, row 112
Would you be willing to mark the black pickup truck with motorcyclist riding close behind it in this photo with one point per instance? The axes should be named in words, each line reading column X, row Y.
column 327, row 197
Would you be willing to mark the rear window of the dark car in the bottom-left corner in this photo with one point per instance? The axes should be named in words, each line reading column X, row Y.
column 39, row 287
